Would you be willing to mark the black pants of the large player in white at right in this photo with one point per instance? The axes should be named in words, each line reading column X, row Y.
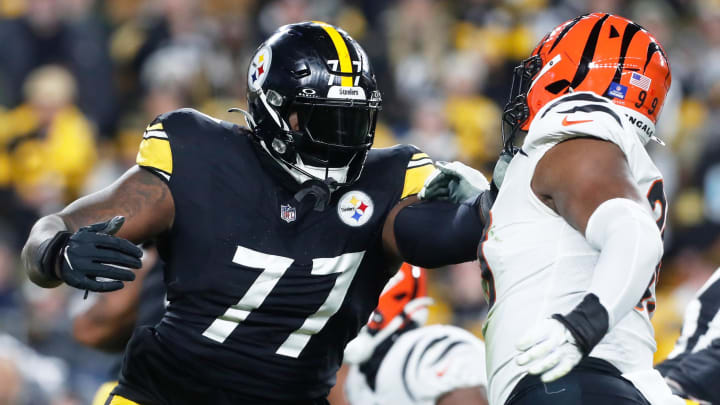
column 592, row 382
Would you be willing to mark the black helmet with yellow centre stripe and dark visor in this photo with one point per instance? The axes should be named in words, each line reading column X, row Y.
column 313, row 102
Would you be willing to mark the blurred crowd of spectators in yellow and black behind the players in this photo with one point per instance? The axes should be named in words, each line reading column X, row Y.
column 80, row 79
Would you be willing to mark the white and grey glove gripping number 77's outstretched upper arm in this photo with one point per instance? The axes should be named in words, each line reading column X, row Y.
column 454, row 182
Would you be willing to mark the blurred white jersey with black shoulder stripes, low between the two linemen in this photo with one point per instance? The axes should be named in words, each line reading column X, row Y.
column 421, row 366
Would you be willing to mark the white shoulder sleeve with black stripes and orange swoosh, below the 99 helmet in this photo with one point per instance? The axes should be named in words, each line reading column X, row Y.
column 579, row 114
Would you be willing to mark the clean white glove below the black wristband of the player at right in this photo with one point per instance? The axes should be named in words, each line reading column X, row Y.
column 548, row 349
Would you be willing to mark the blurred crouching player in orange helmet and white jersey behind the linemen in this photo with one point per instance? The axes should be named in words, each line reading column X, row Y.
column 396, row 360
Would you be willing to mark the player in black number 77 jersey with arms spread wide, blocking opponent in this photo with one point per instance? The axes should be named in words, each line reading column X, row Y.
column 277, row 238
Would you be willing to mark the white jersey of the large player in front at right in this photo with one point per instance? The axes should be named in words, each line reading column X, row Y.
column 535, row 264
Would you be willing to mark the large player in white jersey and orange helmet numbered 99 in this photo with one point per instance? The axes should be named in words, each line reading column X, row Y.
column 571, row 254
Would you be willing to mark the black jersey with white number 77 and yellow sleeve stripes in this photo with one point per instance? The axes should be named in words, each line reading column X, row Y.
column 264, row 292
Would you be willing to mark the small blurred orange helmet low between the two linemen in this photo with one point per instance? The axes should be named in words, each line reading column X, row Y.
column 400, row 298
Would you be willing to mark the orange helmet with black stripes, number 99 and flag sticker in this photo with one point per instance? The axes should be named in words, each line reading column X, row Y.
column 603, row 53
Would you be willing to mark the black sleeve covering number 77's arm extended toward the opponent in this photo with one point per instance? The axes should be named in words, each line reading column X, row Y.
column 434, row 234
